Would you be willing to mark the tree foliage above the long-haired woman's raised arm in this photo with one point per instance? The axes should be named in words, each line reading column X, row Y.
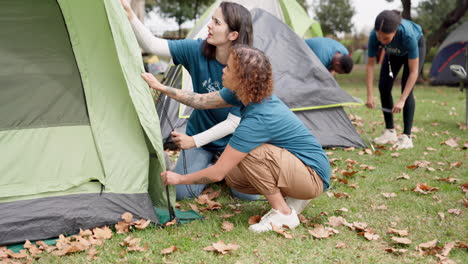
column 181, row 10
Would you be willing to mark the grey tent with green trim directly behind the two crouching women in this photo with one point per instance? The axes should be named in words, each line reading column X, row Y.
column 301, row 81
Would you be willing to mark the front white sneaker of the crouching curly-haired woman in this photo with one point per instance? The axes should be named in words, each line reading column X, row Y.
column 278, row 219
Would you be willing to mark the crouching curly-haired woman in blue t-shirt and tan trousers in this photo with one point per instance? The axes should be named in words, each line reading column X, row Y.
column 271, row 151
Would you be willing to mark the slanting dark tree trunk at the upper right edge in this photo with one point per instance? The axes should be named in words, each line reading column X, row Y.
column 438, row 35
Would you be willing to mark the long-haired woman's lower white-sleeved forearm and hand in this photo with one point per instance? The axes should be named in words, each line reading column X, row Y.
column 216, row 132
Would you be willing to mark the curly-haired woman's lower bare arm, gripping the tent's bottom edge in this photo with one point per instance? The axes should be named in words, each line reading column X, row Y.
column 228, row 160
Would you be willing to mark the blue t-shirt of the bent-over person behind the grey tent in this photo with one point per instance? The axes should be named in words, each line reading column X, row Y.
column 325, row 49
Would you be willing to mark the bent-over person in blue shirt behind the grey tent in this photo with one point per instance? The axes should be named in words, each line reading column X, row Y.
column 333, row 55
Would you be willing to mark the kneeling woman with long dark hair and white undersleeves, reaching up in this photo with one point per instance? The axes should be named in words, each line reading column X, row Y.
column 208, row 131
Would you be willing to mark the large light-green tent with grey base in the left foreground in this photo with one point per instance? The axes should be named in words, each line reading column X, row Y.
column 80, row 142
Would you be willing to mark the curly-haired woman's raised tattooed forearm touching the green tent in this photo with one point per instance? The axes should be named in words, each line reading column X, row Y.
column 194, row 100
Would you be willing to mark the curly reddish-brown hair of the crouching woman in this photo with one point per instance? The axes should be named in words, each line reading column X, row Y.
column 253, row 69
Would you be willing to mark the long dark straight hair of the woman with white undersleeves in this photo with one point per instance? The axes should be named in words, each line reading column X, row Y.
column 238, row 19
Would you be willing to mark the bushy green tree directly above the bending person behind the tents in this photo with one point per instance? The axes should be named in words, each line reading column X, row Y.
column 334, row 16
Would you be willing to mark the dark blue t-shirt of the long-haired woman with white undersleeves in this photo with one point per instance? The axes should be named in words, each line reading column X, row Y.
column 206, row 77
